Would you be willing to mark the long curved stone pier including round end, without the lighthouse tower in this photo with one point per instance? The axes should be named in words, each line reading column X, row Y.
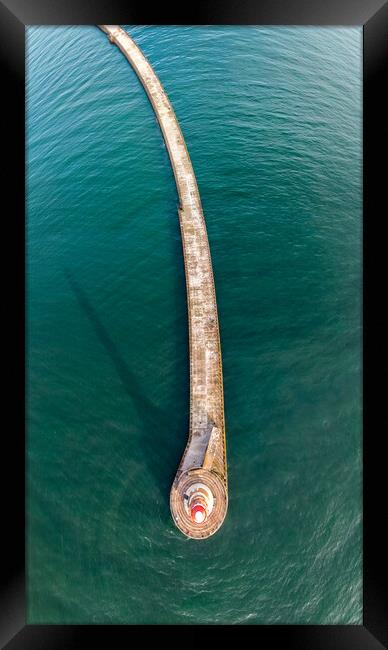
column 204, row 459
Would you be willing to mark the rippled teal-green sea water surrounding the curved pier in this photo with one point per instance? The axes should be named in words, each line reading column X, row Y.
column 272, row 121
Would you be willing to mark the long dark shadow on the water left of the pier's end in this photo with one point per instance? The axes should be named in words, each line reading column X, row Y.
column 159, row 447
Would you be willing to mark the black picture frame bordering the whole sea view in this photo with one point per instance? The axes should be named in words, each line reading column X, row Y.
column 373, row 16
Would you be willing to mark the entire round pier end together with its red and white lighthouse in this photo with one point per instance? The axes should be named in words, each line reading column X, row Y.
column 198, row 502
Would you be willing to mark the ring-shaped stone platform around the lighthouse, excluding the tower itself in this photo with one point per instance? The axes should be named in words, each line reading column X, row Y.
column 180, row 495
